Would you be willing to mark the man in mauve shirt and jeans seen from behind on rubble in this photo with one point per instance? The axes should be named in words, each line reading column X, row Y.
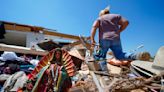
column 110, row 26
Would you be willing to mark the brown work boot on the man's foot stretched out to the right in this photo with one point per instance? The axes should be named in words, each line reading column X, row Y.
column 145, row 56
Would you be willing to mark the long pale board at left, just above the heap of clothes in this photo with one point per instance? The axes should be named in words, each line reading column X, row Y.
column 23, row 50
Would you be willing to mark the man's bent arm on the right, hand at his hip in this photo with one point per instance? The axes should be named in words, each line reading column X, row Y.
column 123, row 24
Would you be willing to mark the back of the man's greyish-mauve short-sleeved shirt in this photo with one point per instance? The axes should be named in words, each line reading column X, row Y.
column 108, row 25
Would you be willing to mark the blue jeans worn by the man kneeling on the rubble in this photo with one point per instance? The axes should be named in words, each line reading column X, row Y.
column 115, row 46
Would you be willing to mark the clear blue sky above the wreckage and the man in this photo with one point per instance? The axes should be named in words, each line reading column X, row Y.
column 75, row 17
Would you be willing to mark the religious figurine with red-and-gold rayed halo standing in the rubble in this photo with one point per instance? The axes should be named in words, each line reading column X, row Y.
column 52, row 74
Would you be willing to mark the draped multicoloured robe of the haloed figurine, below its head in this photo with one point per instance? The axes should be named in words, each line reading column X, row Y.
column 50, row 79
